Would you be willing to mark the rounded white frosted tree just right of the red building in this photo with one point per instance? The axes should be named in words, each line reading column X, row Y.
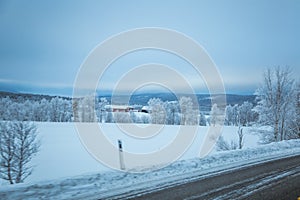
column 158, row 114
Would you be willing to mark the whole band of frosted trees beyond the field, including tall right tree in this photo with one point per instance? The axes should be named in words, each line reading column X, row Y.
column 277, row 106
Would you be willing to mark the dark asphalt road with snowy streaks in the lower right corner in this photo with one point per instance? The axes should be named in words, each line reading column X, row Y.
column 279, row 179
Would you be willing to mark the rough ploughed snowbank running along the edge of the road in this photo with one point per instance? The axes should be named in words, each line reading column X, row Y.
column 106, row 184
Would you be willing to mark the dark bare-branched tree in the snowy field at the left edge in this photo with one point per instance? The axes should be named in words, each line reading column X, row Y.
column 18, row 145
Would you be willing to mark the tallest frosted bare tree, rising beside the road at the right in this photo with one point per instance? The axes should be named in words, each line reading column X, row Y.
column 275, row 101
